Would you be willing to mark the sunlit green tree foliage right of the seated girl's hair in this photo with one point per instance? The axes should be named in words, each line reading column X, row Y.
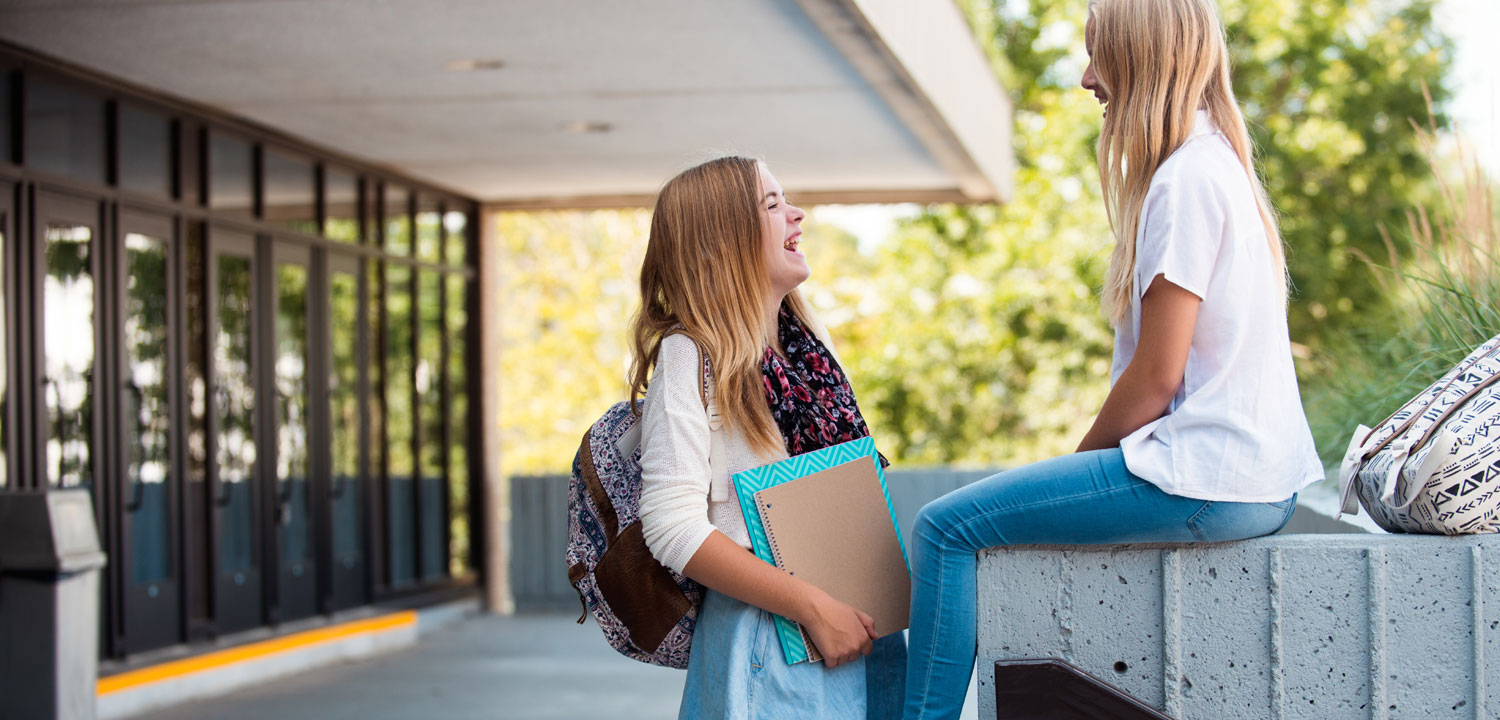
column 1331, row 89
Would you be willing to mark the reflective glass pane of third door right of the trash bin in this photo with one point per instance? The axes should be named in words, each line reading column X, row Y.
column 292, row 418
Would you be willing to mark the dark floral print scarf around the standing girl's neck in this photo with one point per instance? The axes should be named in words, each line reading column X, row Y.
column 808, row 392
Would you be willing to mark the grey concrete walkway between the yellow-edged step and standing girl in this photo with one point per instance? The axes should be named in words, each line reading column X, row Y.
column 530, row 667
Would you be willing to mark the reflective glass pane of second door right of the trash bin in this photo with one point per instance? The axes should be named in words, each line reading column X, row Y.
column 235, row 403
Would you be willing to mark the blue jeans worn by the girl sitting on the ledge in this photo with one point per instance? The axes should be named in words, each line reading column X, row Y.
column 1084, row 499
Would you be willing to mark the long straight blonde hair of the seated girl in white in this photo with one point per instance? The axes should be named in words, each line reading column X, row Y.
column 1160, row 62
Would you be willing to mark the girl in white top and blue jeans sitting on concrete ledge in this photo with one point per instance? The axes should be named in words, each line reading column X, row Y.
column 1202, row 437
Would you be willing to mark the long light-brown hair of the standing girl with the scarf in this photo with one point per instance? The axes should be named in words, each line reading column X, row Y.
column 704, row 277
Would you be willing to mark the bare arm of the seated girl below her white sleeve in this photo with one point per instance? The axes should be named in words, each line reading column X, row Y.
column 1142, row 394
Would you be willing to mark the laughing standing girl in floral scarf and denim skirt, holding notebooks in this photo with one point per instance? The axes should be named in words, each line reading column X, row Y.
column 719, row 284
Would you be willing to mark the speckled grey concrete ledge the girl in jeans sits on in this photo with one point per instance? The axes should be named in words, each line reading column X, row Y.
column 1279, row 628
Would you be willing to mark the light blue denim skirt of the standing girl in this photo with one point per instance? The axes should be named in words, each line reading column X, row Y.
column 737, row 673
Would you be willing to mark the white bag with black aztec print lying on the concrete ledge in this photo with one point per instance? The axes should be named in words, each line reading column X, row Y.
column 1435, row 466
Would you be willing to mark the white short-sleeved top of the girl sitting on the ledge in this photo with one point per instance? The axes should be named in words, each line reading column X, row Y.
column 1235, row 431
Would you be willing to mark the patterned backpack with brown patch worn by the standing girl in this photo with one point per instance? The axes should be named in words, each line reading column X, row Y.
column 646, row 611
